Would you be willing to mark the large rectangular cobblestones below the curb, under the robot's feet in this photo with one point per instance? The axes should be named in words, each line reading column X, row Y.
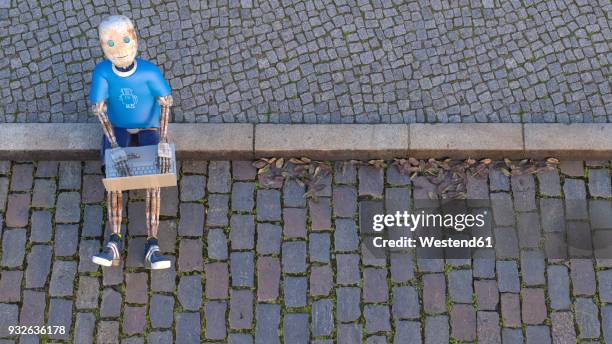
column 262, row 264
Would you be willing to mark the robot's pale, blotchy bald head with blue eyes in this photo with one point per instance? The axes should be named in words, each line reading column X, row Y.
column 118, row 40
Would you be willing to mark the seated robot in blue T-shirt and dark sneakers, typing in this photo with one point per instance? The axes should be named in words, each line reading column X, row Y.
column 132, row 100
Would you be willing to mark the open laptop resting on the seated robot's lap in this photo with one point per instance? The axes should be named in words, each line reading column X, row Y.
column 144, row 172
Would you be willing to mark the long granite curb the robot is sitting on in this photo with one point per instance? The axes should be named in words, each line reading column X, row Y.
column 78, row 141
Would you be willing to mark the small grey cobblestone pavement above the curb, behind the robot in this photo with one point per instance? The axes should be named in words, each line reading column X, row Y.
column 324, row 61
